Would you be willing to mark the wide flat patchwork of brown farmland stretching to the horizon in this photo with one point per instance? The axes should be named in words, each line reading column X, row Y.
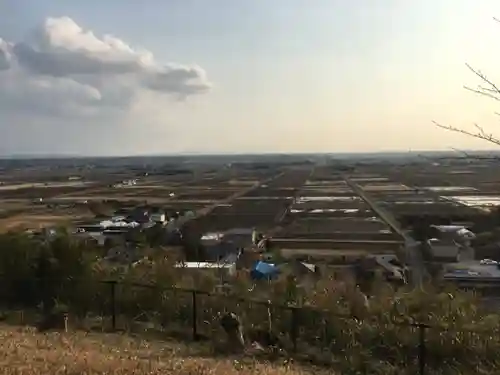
column 305, row 207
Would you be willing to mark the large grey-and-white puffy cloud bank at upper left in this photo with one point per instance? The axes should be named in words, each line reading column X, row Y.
column 61, row 69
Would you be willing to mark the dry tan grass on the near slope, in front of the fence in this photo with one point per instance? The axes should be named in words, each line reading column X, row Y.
column 24, row 351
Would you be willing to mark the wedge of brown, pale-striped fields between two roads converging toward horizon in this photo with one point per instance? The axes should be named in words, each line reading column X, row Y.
column 327, row 220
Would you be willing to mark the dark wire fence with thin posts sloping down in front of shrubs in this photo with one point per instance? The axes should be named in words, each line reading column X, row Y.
column 317, row 334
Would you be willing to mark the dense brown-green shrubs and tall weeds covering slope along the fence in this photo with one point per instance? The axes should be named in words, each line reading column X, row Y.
column 332, row 316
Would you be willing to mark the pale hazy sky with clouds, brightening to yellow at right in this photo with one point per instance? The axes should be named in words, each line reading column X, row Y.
column 126, row 77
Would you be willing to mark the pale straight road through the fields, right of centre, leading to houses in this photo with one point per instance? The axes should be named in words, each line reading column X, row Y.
column 411, row 253
